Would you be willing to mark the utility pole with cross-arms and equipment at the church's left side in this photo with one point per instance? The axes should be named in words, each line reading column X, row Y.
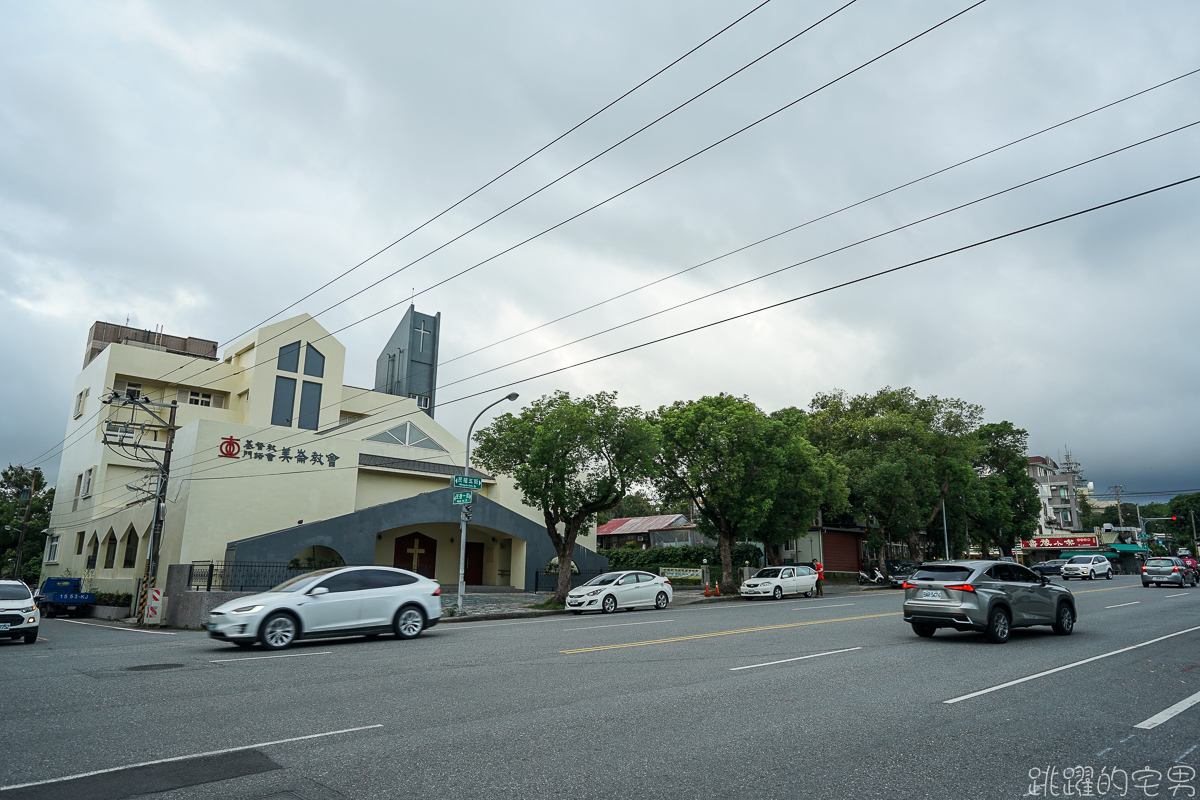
column 125, row 438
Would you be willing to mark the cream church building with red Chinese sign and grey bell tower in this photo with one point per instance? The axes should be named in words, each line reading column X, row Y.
column 277, row 461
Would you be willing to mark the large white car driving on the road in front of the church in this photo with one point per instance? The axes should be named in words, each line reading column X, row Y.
column 340, row 601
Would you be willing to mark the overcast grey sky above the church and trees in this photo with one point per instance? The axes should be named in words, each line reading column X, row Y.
column 203, row 166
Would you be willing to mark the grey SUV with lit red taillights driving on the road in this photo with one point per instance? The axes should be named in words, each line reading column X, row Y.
column 991, row 597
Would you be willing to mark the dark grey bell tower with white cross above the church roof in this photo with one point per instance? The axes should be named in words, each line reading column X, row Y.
column 409, row 365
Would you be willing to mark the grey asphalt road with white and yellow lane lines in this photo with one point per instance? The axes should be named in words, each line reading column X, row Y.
column 803, row 699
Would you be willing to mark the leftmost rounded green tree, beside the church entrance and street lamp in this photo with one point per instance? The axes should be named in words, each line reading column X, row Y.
column 572, row 460
